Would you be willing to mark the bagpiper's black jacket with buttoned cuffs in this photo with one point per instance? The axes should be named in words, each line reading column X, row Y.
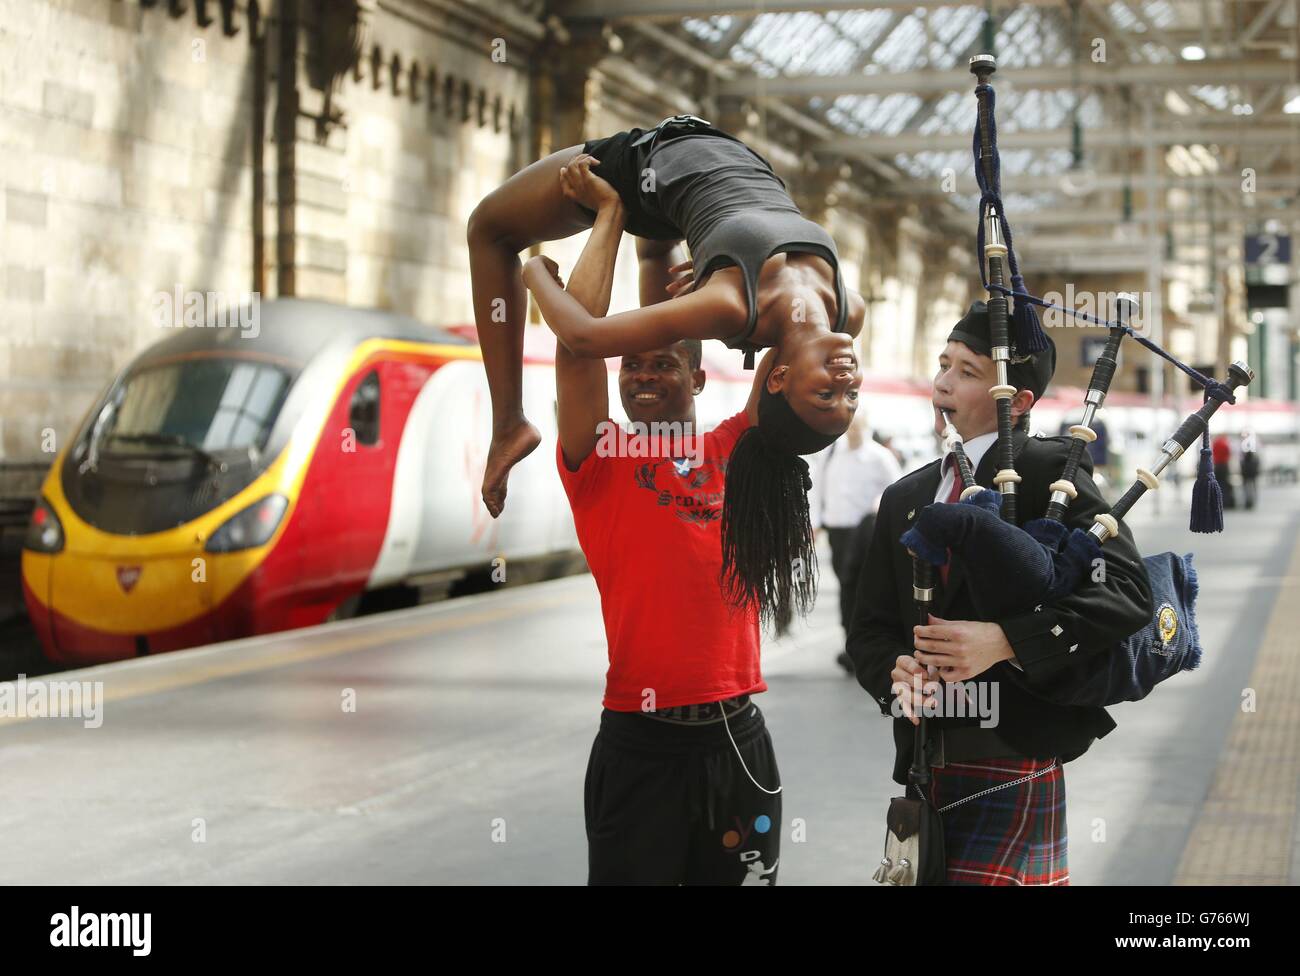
column 1048, row 640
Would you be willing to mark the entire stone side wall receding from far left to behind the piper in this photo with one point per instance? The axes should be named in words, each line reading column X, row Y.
column 149, row 145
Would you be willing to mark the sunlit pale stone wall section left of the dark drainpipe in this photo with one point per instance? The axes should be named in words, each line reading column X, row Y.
column 124, row 161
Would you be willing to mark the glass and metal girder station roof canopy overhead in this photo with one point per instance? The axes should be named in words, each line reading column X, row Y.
column 1206, row 88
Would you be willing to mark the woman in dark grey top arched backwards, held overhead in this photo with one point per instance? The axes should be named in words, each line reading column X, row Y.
column 764, row 276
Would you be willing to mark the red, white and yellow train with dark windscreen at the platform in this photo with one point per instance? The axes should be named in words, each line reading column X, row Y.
column 232, row 483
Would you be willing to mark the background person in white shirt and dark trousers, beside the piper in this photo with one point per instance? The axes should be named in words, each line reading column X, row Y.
column 855, row 472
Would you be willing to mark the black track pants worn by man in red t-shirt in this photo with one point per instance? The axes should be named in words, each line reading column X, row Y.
column 671, row 804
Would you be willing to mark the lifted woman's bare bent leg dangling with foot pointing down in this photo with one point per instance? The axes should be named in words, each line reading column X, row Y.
column 526, row 210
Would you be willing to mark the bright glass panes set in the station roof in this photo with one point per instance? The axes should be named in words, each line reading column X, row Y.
column 892, row 41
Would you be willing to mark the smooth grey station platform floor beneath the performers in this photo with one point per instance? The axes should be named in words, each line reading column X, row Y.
column 463, row 761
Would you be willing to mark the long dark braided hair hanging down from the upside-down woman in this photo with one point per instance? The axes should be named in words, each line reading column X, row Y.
column 769, row 554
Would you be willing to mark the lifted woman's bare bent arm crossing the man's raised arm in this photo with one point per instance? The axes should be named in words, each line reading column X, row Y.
column 710, row 314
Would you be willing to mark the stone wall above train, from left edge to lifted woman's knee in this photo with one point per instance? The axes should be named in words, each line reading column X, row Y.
column 128, row 150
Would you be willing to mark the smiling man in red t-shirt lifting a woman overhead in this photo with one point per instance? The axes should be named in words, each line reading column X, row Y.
column 682, row 786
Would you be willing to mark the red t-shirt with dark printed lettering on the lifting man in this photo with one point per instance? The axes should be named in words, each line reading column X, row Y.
column 652, row 533
